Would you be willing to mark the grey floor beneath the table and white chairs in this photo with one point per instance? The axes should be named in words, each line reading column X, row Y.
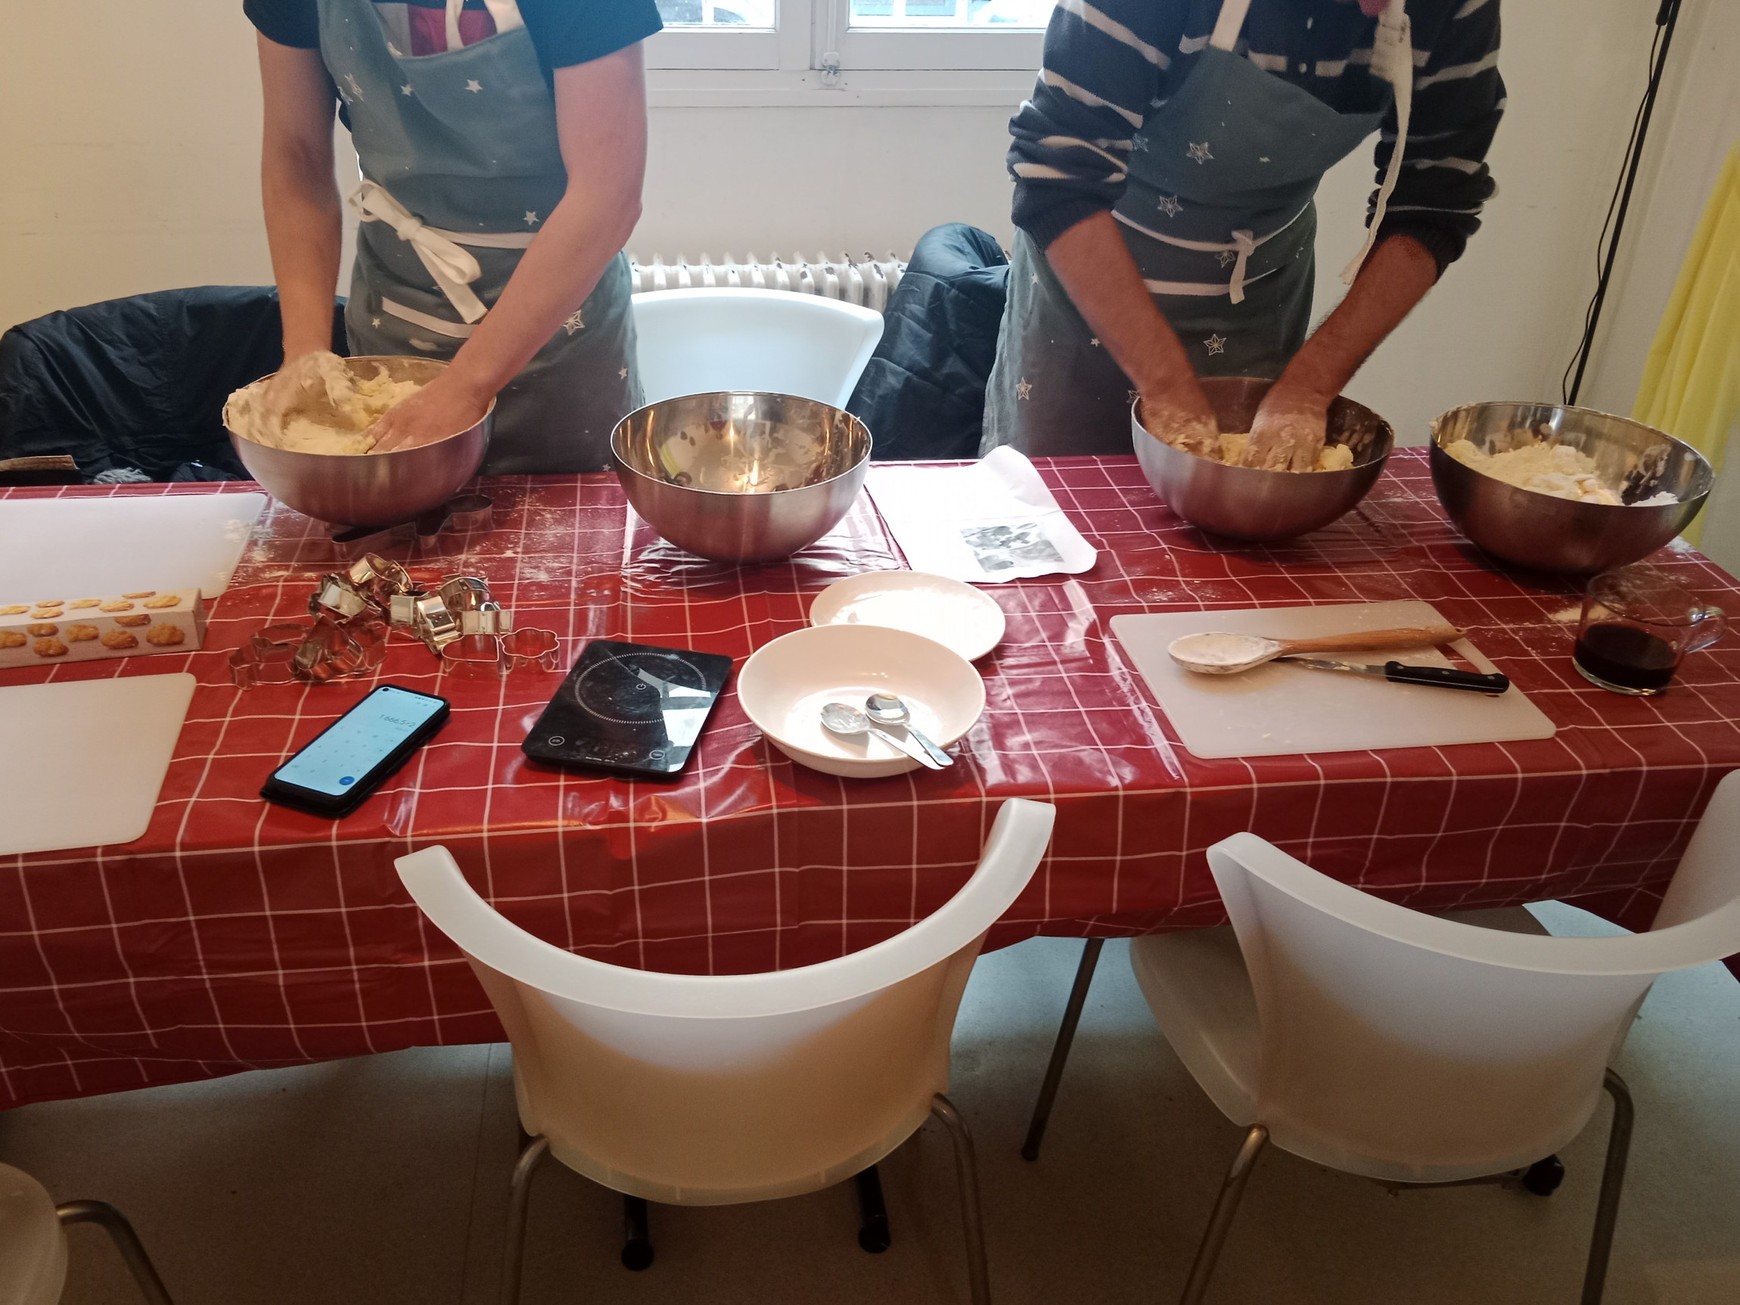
column 385, row 1181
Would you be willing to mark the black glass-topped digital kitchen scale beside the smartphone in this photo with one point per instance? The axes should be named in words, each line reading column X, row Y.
column 629, row 707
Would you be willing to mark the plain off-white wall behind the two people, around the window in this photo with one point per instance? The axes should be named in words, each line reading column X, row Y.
column 131, row 151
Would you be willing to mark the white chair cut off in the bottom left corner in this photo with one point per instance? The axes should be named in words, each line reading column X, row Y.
column 34, row 1243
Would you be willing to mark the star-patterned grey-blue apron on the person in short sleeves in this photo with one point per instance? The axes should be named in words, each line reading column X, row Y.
column 462, row 166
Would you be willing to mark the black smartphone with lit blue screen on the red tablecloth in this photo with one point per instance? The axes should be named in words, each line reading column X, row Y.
column 352, row 756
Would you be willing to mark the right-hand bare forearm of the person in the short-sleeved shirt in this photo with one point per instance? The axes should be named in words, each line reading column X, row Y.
column 552, row 279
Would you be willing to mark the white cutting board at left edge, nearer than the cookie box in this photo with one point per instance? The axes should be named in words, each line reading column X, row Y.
column 81, row 761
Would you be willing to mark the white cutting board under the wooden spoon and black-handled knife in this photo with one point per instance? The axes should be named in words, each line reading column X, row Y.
column 1278, row 709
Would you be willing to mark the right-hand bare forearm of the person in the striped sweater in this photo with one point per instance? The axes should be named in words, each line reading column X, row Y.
column 1395, row 279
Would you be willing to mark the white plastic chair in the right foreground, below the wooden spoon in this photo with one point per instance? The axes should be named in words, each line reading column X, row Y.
column 1410, row 1048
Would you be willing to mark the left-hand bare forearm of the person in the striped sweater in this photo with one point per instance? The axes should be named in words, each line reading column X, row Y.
column 1106, row 284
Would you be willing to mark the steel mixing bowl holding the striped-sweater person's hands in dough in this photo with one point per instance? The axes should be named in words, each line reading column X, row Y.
column 1250, row 504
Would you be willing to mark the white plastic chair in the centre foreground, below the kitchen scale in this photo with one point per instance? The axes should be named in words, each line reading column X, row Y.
column 718, row 1090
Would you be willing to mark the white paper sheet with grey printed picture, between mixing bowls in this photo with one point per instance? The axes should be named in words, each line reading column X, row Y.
column 984, row 523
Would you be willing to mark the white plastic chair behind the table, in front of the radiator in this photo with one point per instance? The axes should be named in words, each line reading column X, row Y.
column 704, row 340
